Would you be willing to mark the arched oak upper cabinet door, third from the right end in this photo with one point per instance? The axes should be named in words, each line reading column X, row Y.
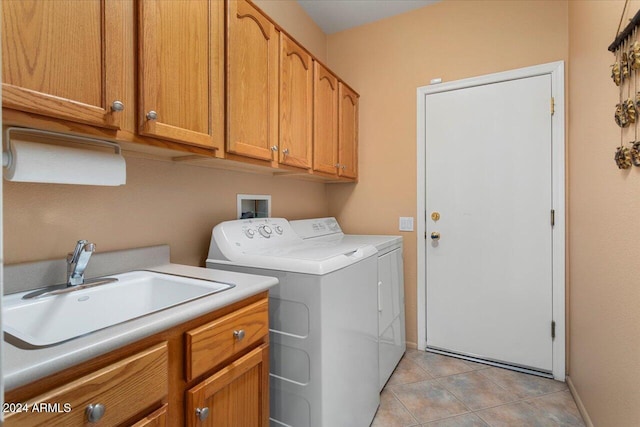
column 296, row 103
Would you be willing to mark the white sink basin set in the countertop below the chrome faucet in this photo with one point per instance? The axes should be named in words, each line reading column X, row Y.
column 49, row 320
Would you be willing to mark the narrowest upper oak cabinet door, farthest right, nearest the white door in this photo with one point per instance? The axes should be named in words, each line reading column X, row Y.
column 347, row 132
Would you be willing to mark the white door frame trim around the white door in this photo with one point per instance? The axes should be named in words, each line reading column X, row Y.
column 556, row 70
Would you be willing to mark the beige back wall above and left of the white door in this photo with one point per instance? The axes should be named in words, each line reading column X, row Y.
column 388, row 60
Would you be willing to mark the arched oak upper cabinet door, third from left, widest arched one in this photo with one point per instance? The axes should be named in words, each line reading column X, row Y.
column 252, row 78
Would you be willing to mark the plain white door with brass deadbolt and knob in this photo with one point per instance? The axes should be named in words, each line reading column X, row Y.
column 489, row 176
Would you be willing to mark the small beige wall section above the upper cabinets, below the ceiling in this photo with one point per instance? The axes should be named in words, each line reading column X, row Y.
column 294, row 19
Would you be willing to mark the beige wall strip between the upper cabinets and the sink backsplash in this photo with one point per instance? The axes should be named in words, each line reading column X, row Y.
column 162, row 202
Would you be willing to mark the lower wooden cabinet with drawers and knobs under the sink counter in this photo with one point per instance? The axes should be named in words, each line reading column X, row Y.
column 147, row 383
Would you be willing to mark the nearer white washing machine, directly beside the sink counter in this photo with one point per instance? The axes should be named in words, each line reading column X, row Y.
column 323, row 320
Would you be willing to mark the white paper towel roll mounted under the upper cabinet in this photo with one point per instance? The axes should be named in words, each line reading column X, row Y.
column 35, row 162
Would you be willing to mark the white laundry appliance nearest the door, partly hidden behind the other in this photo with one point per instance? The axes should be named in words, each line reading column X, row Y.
column 391, row 340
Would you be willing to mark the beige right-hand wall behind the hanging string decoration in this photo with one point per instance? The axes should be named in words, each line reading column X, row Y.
column 604, row 235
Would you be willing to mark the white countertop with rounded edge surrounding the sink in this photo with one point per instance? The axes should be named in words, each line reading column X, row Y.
column 23, row 366
